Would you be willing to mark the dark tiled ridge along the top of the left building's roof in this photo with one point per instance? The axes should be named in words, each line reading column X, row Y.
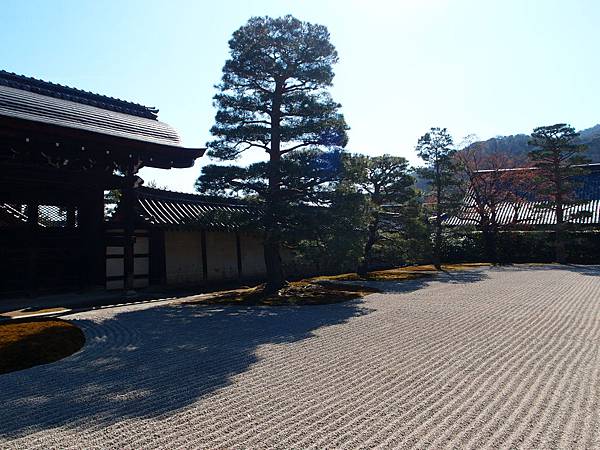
column 76, row 95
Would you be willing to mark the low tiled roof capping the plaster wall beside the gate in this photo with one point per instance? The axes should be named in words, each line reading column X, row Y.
column 174, row 209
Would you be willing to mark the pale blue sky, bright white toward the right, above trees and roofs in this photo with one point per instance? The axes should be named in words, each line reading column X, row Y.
column 489, row 67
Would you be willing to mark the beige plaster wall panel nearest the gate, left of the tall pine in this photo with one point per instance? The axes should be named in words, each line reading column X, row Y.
column 183, row 257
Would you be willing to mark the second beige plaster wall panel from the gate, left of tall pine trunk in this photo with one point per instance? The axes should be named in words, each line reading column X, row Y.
column 221, row 255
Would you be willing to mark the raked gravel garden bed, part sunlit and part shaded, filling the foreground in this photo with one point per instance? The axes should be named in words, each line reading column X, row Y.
column 504, row 357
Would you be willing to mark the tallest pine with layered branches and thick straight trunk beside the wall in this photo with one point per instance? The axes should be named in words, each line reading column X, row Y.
column 273, row 98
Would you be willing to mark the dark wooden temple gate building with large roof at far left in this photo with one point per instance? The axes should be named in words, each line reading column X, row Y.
column 61, row 149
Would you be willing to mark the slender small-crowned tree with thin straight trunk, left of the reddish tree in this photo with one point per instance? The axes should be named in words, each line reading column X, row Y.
column 435, row 149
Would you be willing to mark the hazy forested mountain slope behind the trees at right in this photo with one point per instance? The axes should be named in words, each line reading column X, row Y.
column 516, row 145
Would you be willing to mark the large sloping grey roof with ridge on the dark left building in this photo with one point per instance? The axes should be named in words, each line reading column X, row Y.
column 40, row 101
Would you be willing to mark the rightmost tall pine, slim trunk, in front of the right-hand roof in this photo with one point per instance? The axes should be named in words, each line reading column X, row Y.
column 557, row 154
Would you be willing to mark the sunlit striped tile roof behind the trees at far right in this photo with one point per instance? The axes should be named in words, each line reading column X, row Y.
column 533, row 213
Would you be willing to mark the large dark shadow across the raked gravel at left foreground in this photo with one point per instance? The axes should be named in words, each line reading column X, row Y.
column 154, row 361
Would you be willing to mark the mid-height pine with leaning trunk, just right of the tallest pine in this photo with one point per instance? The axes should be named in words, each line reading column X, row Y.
column 388, row 186
